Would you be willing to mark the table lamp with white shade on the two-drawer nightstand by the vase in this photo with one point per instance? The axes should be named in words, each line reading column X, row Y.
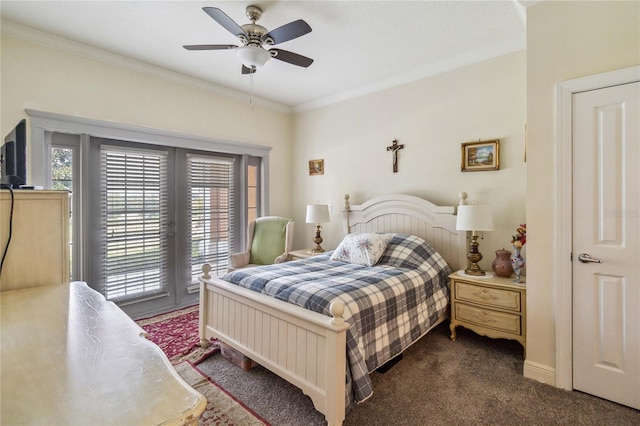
column 474, row 218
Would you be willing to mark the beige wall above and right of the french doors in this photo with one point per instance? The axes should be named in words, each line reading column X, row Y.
column 47, row 79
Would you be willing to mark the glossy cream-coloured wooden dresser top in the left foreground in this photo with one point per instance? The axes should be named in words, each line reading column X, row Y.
column 69, row 357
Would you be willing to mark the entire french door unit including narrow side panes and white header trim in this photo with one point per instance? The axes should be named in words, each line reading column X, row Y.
column 133, row 237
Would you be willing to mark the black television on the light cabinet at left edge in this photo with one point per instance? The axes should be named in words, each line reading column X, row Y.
column 13, row 157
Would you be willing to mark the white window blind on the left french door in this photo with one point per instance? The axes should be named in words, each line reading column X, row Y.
column 134, row 217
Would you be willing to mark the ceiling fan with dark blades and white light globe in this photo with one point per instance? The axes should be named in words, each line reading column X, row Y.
column 253, row 36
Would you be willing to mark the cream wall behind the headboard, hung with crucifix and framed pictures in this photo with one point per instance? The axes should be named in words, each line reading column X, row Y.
column 431, row 117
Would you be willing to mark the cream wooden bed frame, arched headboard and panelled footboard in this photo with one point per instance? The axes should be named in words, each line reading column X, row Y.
column 307, row 348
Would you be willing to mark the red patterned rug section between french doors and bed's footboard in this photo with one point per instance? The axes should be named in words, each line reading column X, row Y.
column 176, row 333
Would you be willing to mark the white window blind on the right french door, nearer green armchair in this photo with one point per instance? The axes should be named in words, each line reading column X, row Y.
column 211, row 203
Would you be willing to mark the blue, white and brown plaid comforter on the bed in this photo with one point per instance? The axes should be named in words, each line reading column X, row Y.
column 388, row 306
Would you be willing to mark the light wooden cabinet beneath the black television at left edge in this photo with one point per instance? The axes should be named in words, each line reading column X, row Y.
column 38, row 253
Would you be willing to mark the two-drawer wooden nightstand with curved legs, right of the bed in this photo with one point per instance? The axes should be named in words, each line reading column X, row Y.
column 494, row 307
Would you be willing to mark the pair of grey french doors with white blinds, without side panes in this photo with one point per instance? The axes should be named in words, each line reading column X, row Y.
column 156, row 215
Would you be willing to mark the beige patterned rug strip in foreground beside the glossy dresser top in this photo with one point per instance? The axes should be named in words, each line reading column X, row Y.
column 222, row 407
